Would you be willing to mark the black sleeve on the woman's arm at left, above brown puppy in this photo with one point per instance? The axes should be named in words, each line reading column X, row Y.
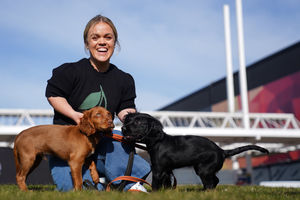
column 61, row 82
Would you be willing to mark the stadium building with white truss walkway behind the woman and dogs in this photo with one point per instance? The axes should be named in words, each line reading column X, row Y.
column 274, row 114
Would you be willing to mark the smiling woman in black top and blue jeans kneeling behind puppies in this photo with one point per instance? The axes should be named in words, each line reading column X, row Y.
column 75, row 87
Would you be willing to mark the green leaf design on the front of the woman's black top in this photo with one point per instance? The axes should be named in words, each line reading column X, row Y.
column 94, row 99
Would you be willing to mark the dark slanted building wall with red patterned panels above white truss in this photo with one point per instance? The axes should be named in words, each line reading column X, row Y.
column 273, row 84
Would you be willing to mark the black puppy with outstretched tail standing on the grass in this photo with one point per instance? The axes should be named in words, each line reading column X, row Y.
column 171, row 152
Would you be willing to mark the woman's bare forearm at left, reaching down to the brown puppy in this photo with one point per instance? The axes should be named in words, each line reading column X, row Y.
column 61, row 105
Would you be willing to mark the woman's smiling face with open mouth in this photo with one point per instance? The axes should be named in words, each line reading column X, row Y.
column 101, row 42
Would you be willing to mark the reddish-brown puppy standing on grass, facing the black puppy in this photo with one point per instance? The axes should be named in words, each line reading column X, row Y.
column 71, row 143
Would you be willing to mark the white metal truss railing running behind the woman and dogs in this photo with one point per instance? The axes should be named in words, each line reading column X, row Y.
column 224, row 128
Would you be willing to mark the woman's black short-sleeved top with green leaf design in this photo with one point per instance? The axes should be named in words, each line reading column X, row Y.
column 84, row 88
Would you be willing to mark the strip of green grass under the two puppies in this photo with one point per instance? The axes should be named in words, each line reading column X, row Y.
column 223, row 192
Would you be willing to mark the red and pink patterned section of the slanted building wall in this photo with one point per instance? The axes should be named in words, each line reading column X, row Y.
column 279, row 96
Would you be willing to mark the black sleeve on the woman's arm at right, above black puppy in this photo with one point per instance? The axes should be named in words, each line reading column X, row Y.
column 128, row 94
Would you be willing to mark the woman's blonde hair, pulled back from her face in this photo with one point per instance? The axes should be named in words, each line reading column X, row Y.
column 95, row 20
